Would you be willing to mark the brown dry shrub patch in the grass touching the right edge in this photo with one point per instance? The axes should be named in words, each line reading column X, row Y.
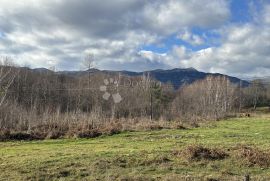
column 253, row 156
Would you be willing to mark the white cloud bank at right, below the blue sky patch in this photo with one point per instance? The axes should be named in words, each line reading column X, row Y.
column 244, row 50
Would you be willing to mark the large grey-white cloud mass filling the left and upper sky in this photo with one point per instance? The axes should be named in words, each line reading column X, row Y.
column 62, row 31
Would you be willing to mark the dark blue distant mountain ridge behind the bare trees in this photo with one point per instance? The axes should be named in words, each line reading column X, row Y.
column 177, row 77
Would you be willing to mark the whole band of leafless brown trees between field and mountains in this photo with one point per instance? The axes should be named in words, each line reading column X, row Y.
column 46, row 102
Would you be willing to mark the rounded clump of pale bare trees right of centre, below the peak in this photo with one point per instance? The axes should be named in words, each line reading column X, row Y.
column 210, row 99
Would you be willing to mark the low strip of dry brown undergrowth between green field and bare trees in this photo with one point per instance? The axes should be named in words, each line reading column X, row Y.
column 109, row 128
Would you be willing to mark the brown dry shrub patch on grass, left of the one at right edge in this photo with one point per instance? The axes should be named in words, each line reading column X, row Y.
column 197, row 153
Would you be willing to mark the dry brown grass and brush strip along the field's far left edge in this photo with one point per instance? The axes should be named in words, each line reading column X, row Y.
column 69, row 127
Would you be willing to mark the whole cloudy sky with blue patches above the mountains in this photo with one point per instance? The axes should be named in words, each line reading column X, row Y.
column 218, row 36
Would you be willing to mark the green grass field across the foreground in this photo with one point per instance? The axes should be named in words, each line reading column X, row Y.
column 155, row 155
